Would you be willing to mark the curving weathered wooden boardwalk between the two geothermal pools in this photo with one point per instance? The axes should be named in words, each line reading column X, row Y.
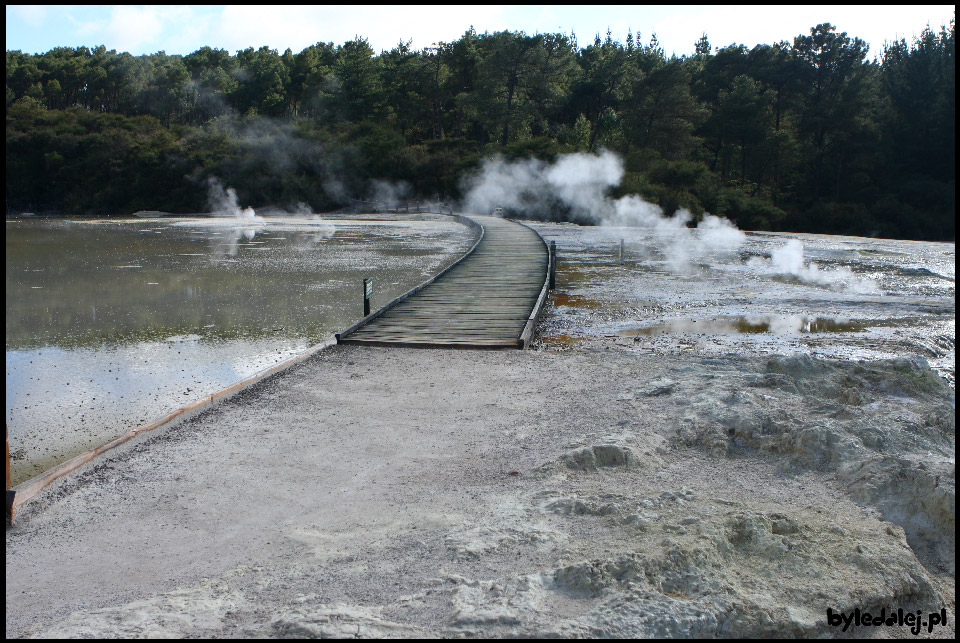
column 490, row 299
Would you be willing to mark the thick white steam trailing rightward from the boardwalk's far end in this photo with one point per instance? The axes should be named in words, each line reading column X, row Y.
column 575, row 186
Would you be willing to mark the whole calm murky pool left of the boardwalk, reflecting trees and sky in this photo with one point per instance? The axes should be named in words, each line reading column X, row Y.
column 115, row 323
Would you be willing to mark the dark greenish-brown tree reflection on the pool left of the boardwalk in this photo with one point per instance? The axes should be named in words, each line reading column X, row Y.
column 85, row 284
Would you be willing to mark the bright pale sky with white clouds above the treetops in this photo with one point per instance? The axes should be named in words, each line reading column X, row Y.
column 182, row 29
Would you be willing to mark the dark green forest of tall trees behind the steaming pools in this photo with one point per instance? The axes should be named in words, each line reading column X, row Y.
column 807, row 136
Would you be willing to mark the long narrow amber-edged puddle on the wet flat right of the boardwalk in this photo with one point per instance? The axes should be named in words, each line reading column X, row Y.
column 743, row 325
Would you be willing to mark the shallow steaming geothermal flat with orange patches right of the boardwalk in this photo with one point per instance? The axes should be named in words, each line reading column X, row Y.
column 837, row 297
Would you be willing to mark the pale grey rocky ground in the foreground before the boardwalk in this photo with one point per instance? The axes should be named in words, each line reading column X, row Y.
column 586, row 492
